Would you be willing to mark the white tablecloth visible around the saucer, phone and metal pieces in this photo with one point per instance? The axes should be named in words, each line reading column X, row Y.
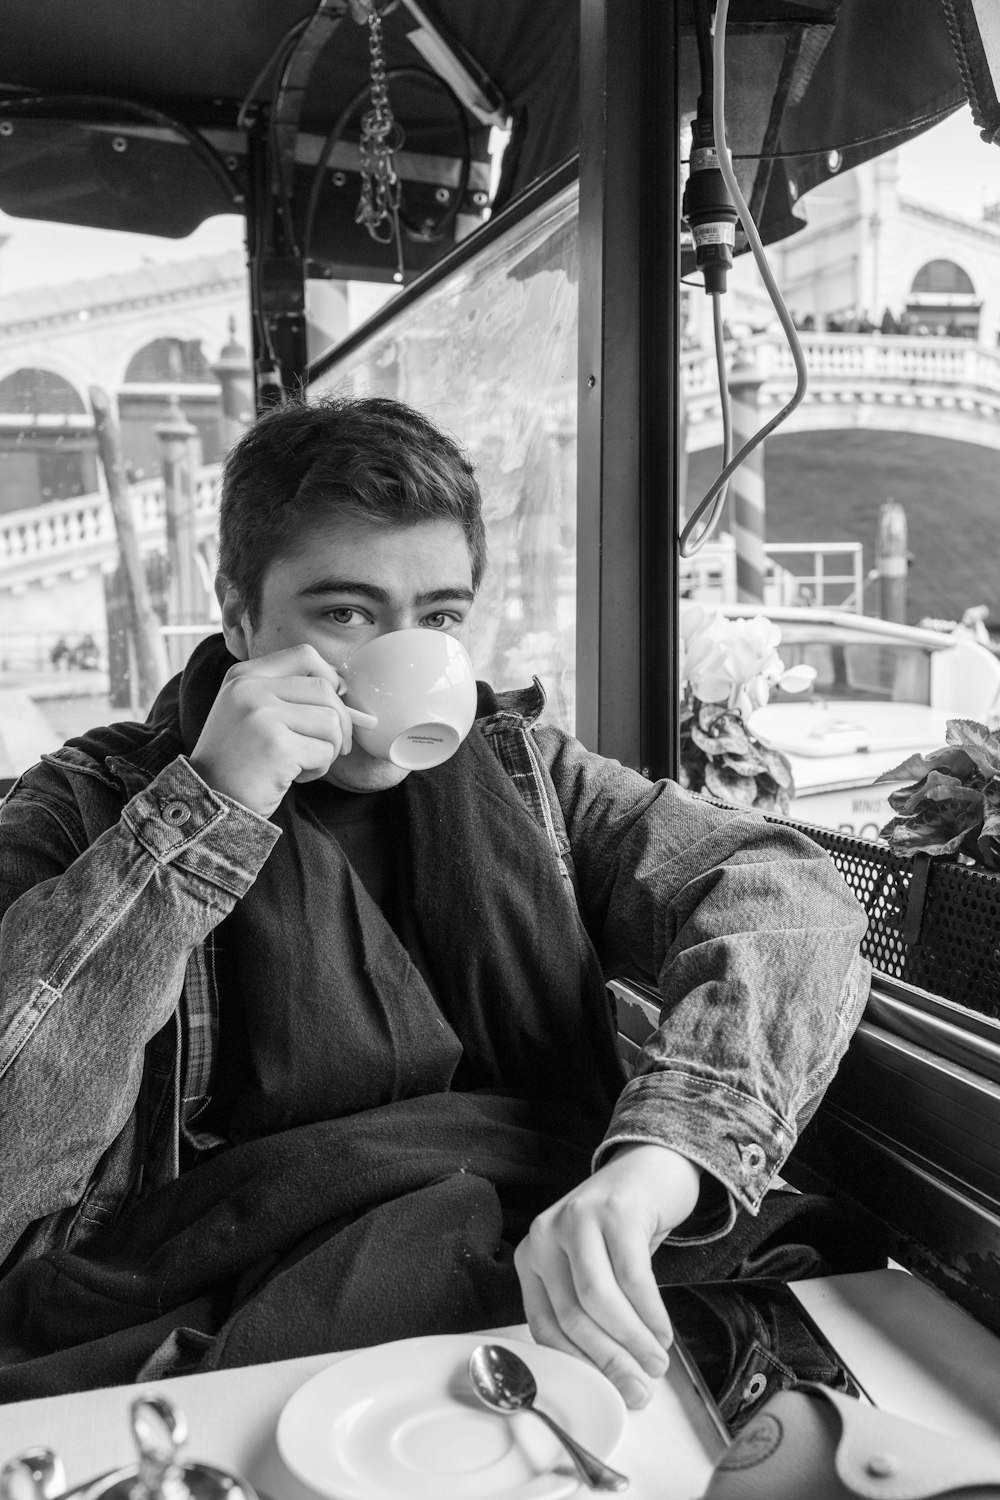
column 917, row 1355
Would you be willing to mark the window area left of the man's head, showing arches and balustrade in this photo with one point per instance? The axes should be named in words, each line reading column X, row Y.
column 164, row 329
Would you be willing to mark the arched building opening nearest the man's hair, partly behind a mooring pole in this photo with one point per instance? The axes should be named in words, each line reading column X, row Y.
column 158, row 373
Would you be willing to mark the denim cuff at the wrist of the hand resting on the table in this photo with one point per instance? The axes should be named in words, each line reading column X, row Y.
column 729, row 1135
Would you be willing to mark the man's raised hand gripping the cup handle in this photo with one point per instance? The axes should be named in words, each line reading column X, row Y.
column 277, row 719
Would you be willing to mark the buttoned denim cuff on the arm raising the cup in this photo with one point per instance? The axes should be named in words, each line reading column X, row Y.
column 181, row 820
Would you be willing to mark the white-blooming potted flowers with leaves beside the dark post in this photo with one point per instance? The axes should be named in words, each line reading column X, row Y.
column 728, row 670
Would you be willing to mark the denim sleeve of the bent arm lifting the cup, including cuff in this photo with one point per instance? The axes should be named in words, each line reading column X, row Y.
column 95, row 935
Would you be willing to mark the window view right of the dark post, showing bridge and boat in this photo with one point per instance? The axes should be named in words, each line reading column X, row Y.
column 876, row 505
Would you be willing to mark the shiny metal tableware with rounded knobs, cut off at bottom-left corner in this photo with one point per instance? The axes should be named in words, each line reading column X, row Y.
column 160, row 1432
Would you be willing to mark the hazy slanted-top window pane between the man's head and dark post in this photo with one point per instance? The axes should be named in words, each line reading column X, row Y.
column 491, row 355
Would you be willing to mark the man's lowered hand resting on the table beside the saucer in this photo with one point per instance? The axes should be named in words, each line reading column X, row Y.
column 585, row 1265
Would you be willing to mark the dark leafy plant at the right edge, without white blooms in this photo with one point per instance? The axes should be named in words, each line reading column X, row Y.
column 953, row 806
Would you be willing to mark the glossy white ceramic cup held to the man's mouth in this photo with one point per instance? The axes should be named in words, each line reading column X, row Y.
column 421, row 688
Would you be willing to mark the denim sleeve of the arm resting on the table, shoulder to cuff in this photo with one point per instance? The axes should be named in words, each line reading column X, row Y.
column 750, row 935
